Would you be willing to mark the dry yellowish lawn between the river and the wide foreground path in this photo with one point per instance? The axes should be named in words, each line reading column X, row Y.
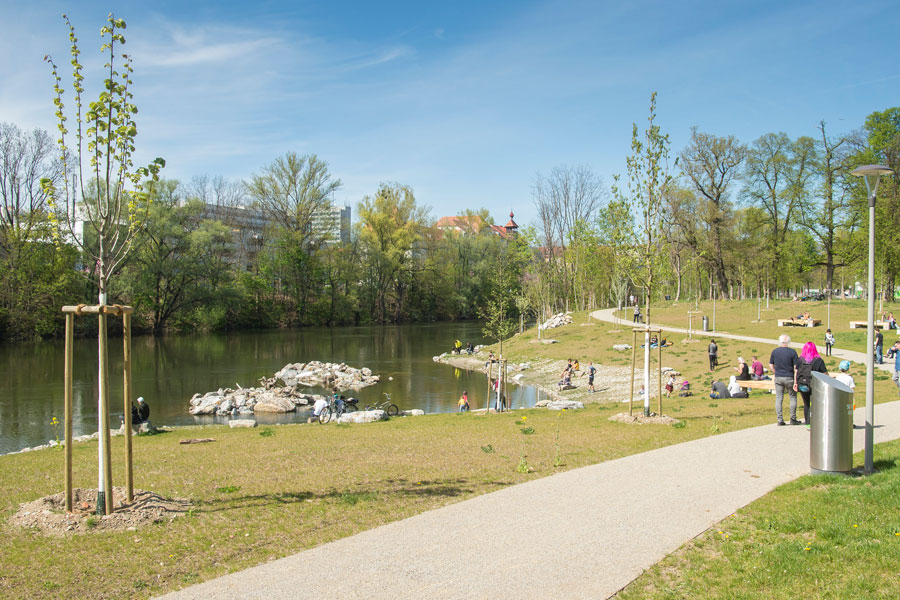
column 264, row 493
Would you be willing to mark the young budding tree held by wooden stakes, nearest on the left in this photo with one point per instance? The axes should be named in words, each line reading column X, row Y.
column 100, row 206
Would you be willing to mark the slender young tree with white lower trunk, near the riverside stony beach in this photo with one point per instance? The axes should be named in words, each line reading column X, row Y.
column 648, row 179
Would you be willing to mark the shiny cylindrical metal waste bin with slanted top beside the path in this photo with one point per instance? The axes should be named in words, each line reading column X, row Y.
column 831, row 429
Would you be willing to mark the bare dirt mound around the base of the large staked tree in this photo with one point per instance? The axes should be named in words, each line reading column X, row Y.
column 48, row 515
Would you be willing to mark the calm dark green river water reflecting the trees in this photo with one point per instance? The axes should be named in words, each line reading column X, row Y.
column 168, row 371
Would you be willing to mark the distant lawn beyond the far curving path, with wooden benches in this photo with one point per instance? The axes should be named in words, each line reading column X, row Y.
column 739, row 317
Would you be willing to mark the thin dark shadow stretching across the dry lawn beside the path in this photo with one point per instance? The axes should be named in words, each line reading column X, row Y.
column 447, row 488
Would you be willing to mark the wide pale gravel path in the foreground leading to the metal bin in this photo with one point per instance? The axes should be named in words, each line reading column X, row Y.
column 585, row 533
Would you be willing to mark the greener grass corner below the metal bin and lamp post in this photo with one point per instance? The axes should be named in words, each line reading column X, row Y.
column 817, row 537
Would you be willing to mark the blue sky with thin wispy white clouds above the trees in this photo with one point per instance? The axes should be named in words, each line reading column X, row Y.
column 467, row 101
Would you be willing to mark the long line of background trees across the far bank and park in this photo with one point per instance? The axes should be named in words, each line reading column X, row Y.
column 720, row 216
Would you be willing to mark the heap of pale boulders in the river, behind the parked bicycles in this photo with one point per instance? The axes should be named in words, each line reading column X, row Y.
column 280, row 393
